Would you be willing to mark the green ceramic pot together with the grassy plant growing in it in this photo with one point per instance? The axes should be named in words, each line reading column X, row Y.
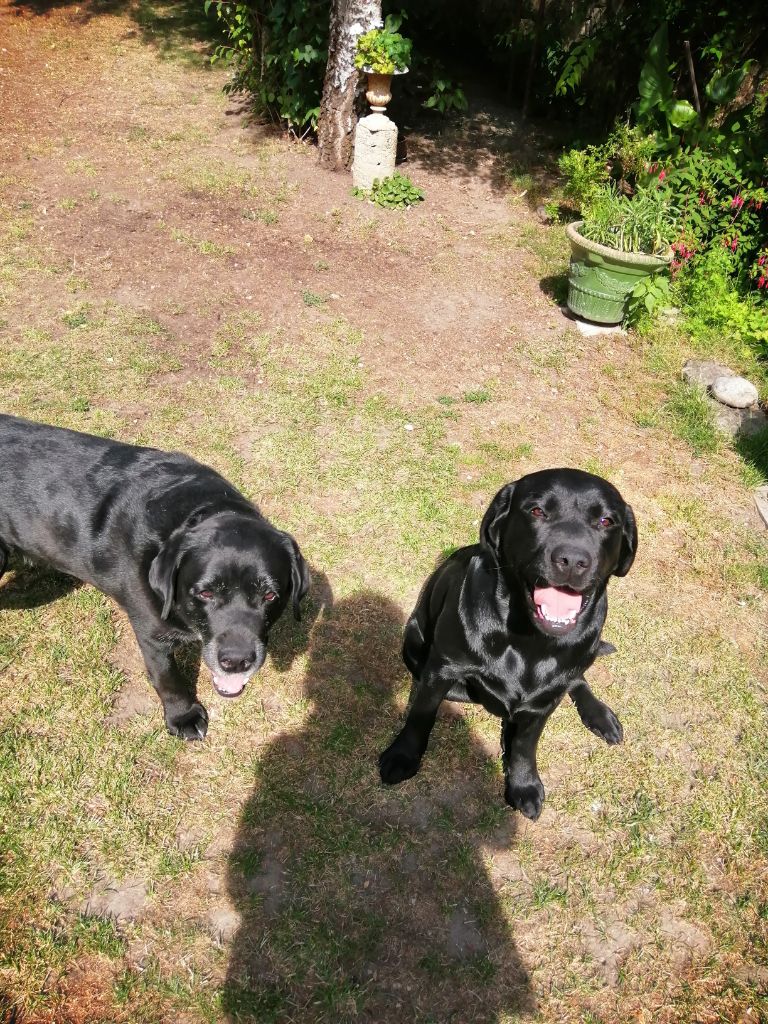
column 621, row 241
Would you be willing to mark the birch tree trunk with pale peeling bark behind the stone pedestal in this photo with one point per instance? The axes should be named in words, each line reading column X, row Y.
column 350, row 19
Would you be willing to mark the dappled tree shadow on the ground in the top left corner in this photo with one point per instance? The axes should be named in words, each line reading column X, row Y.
column 178, row 29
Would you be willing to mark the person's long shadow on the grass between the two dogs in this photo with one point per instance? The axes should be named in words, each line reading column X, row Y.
column 357, row 901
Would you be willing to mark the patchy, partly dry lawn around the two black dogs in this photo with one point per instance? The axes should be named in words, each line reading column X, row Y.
column 173, row 276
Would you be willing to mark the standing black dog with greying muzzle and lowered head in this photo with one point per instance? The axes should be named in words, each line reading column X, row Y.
column 169, row 539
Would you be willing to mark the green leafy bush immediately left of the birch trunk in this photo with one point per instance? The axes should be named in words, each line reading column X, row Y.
column 279, row 55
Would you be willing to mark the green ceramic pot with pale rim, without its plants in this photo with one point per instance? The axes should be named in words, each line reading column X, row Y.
column 602, row 280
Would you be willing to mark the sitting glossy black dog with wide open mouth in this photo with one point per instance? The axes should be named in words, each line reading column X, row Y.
column 515, row 622
